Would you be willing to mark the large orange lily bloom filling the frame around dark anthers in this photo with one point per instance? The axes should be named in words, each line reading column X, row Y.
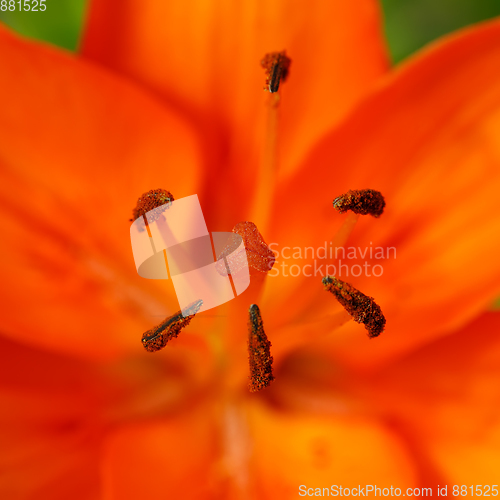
column 169, row 94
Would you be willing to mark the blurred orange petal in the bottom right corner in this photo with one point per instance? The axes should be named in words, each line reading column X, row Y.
column 445, row 396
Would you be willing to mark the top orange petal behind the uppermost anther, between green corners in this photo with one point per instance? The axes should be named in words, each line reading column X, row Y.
column 205, row 57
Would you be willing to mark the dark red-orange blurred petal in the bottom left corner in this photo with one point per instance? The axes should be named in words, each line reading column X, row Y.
column 57, row 411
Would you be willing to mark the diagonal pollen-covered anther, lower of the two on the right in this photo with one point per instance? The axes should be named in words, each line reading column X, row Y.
column 362, row 308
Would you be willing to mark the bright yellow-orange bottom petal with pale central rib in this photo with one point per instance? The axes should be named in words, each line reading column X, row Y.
column 187, row 456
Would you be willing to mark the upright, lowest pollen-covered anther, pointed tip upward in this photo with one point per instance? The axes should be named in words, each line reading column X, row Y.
column 259, row 352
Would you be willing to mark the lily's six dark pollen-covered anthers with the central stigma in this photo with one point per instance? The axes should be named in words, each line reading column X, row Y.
column 258, row 255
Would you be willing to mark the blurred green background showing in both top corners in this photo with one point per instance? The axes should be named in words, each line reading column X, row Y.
column 409, row 24
